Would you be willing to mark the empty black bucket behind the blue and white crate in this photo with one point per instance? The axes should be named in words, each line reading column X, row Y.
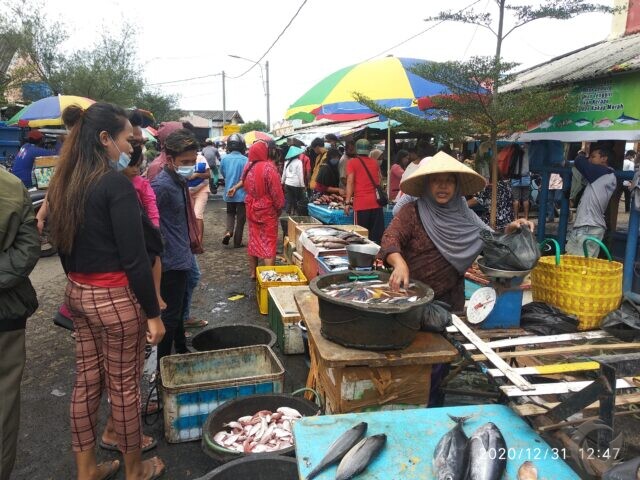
column 232, row 336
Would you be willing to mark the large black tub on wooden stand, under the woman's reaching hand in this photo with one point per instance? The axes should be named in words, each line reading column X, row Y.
column 368, row 327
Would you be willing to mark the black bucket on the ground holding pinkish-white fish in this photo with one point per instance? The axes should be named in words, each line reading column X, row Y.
column 250, row 405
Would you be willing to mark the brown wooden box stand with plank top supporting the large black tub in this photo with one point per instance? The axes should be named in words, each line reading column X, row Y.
column 355, row 380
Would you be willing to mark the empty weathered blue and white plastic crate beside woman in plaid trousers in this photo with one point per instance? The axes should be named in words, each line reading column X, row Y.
column 193, row 385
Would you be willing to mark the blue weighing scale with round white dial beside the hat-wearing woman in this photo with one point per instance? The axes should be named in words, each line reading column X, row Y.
column 499, row 305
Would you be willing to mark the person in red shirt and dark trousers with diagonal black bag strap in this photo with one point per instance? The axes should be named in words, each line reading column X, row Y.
column 363, row 174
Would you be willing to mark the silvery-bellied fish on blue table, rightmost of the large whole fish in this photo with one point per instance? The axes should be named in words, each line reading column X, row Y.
column 487, row 453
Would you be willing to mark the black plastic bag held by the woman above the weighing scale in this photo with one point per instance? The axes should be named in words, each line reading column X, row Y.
column 510, row 251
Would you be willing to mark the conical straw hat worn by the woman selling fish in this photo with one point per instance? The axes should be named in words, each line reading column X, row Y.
column 470, row 181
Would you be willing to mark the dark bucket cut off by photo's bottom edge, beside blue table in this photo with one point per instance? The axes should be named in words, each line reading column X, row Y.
column 268, row 467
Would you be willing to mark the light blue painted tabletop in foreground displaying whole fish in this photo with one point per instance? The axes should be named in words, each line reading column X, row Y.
column 412, row 436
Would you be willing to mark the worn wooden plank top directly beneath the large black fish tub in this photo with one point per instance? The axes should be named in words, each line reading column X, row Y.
column 426, row 349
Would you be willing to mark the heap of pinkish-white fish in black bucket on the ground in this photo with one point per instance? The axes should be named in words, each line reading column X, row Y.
column 265, row 431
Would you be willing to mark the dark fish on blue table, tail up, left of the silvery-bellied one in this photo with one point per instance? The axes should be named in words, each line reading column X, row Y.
column 450, row 457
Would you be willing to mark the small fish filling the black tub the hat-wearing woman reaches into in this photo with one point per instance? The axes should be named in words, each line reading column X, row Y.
column 372, row 292
